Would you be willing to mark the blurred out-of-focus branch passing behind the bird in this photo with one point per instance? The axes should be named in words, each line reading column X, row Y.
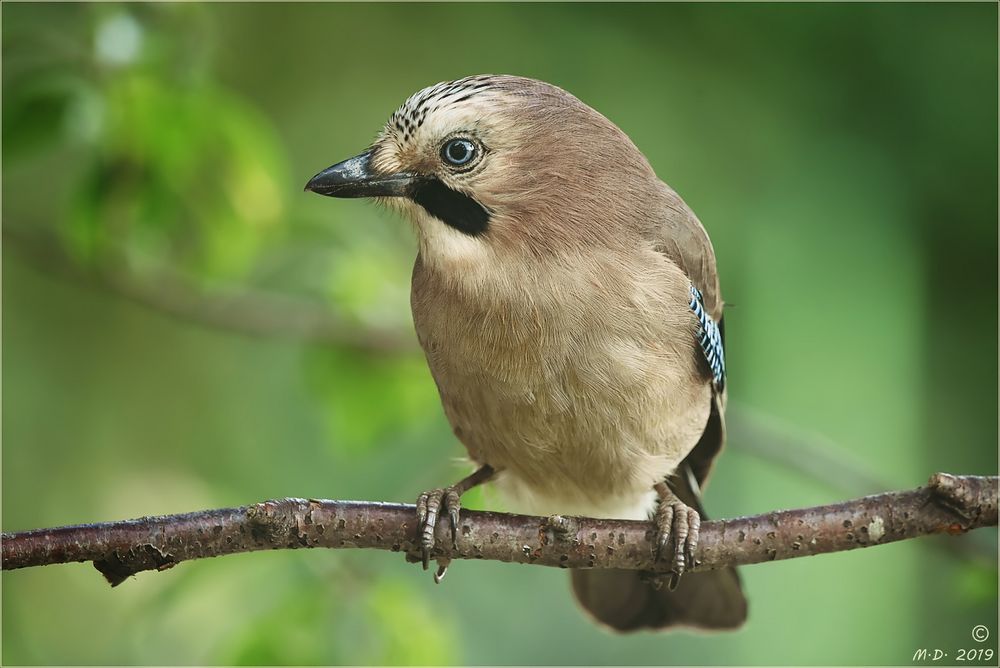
column 255, row 313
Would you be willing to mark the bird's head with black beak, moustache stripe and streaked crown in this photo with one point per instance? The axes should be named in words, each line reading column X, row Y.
column 494, row 164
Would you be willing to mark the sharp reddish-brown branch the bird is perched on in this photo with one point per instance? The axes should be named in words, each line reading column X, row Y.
column 948, row 504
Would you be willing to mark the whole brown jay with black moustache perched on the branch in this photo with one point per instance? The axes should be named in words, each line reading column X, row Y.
column 568, row 305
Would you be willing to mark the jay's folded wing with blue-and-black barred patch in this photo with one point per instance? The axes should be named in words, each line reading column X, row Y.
column 680, row 236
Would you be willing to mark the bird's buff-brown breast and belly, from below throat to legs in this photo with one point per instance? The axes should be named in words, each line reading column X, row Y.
column 578, row 381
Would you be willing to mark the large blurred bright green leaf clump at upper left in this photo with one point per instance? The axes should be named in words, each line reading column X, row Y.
column 189, row 177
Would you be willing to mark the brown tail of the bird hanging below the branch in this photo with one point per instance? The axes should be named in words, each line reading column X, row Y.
column 623, row 601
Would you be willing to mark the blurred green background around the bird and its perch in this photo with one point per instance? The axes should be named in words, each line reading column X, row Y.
column 183, row 328
